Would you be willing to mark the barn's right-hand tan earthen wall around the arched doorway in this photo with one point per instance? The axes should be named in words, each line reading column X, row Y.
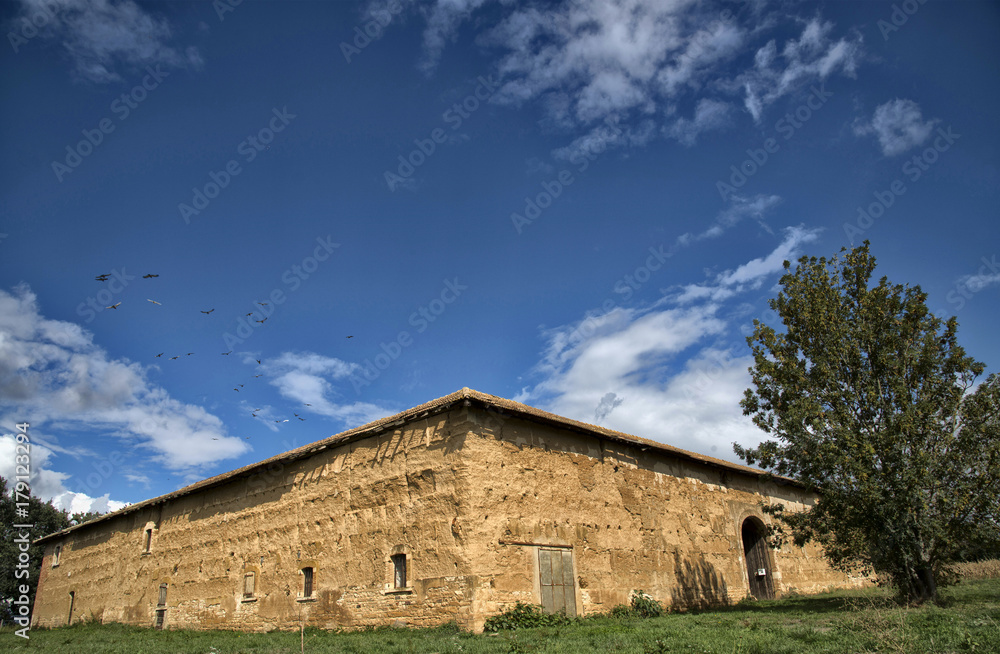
column 635, row 520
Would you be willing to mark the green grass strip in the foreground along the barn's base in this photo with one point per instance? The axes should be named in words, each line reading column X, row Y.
column 968, row 620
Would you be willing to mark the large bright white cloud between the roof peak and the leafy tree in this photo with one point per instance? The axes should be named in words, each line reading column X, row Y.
column 663, row 372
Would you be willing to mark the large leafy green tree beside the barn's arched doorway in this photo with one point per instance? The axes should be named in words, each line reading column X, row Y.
column 873, row 404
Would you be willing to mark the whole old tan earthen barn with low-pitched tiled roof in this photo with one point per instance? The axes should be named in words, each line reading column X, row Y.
column 450, row 511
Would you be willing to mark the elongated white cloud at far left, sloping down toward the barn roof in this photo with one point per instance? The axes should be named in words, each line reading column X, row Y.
column 51, row 371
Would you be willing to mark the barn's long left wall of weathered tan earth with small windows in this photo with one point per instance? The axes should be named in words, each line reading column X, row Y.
column 340, row 511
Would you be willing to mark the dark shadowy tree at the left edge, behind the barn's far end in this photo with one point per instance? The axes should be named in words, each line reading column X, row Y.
column 46, row 519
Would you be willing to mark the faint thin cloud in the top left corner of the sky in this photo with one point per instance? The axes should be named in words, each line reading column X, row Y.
column 101, row 35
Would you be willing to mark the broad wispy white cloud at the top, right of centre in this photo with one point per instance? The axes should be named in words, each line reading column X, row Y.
column 629, row 62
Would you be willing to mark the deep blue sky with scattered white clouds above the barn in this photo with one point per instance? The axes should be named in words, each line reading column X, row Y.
column 579, row 205
